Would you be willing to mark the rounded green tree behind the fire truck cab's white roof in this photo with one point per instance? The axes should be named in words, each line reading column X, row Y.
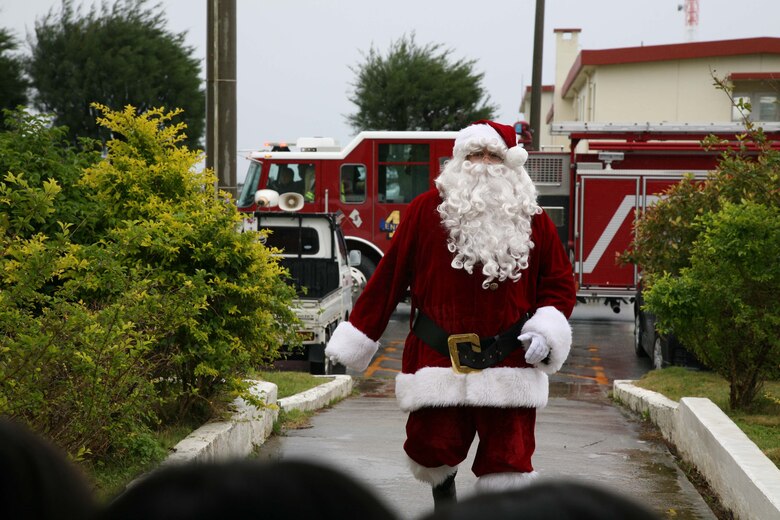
column 417, row 88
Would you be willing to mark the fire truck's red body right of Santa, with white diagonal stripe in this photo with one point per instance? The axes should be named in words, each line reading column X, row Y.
column 623, row 172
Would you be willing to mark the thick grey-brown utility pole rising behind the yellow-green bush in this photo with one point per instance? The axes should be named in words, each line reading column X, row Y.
column 221, row 143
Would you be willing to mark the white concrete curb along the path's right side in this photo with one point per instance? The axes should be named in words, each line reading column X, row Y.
column 746, row 481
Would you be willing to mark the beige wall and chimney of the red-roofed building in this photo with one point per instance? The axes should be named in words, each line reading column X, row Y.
column 679, row 90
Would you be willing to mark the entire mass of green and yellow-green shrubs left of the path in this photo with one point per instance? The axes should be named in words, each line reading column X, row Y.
column 126, row 294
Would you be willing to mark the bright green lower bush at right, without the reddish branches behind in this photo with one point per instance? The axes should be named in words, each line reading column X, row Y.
column 726, row 305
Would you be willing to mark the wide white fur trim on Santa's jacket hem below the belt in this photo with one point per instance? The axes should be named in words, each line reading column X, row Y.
column 502, row 387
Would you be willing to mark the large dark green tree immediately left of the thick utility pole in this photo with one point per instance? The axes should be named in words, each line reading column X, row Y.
column 121, row 55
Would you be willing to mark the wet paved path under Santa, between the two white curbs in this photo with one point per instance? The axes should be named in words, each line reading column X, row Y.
column 581, row 434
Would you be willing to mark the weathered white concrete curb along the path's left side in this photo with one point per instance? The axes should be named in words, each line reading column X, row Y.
column 250, row 427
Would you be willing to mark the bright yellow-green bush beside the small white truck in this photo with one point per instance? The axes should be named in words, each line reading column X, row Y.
column 168, row 224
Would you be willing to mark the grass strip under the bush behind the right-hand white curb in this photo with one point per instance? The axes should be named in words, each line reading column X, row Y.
column 761, row 423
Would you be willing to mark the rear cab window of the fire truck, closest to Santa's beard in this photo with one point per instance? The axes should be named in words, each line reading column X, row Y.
column 403, row 172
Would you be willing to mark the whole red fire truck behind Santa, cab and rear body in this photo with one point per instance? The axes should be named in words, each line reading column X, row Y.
column 592, row 196
